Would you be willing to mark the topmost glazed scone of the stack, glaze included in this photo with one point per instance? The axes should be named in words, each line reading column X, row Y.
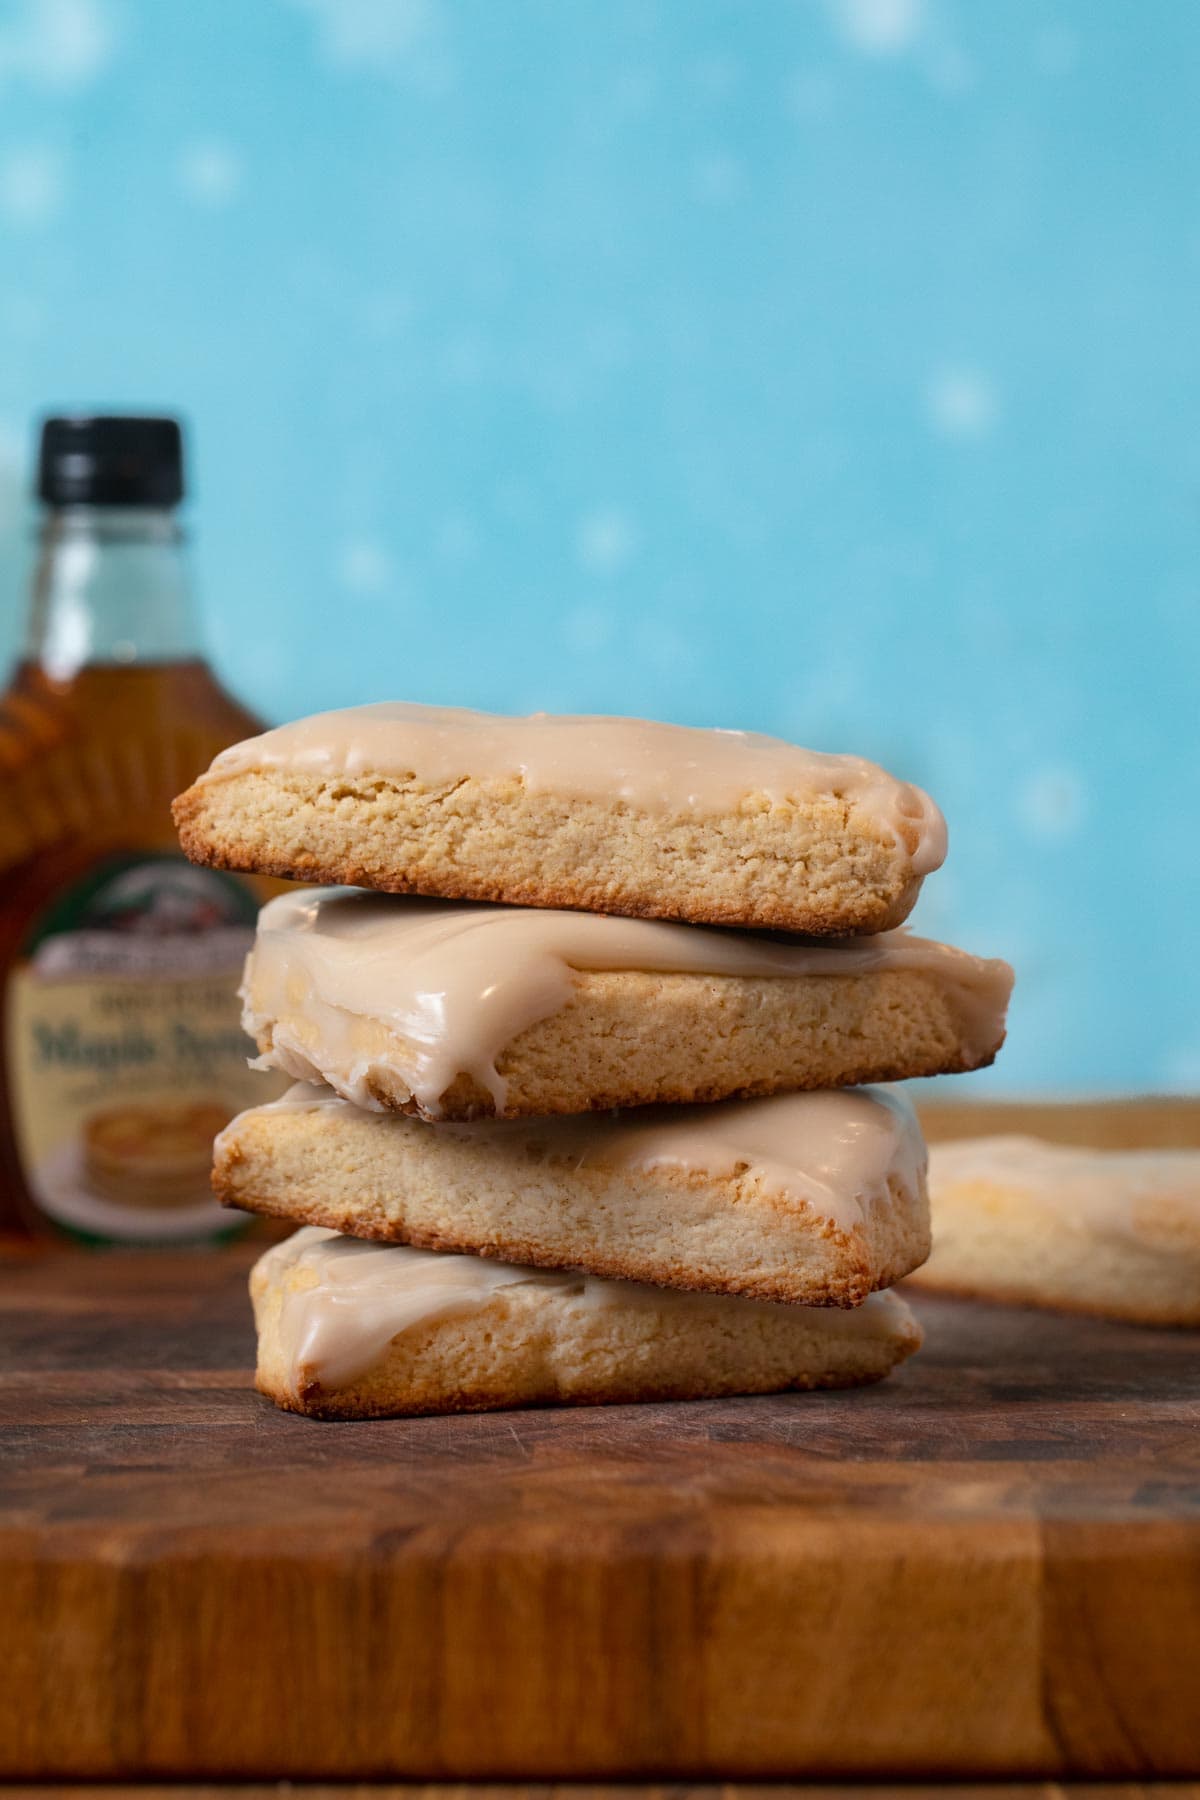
column 600, row 814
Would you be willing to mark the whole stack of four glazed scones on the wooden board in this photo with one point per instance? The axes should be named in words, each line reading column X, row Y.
column 582, row 1106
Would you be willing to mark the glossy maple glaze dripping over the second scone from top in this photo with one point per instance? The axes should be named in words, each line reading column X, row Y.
column 352, row 984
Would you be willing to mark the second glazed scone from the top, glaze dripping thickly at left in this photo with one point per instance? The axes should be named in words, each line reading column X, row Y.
column 481, row 1011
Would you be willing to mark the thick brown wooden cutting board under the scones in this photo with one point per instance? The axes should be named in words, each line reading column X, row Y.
column 987, row 1567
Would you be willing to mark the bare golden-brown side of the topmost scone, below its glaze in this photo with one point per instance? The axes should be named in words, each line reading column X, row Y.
column 399, row 838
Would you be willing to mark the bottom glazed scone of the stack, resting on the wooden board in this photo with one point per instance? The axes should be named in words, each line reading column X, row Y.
column 366, row 1331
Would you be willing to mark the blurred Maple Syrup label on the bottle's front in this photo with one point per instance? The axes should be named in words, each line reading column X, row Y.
column 125, row 1048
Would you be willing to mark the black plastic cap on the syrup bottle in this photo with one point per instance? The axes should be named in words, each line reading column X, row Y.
column 111, row 460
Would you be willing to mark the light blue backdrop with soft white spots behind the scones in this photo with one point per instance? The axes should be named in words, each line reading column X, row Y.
column 819, row 368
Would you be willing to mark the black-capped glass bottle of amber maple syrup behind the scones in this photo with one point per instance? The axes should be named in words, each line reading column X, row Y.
column 120, row 962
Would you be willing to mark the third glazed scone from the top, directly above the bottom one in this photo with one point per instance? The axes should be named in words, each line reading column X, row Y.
column 805, row 1198
